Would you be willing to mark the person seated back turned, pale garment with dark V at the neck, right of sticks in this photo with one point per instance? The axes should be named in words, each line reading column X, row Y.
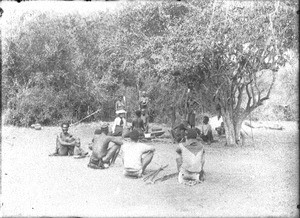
column 190, row 160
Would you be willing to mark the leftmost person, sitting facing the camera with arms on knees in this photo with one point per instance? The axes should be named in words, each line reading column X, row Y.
column 67, row 144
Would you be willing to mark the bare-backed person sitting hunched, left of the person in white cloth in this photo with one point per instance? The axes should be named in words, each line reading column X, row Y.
column 102, row 155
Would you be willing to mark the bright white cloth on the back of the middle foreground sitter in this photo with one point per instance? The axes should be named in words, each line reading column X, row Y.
column 133, row 153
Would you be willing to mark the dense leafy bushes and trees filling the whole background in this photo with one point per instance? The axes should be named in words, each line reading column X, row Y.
column 222, row 55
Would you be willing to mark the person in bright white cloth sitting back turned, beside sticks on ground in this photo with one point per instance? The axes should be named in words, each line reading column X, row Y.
column 136, row 156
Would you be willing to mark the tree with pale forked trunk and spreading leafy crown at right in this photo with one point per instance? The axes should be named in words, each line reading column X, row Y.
column 242, row 49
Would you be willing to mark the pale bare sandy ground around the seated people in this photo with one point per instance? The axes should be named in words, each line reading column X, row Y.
column 259, row 179
